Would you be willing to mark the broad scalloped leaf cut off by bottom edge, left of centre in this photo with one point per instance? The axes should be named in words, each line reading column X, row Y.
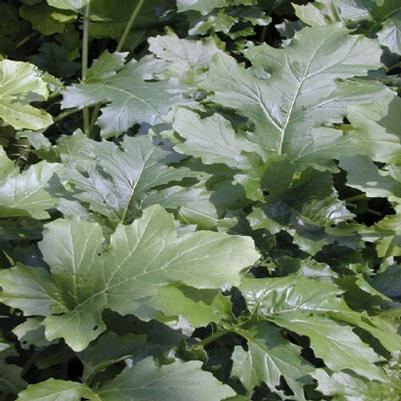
column 180, row 381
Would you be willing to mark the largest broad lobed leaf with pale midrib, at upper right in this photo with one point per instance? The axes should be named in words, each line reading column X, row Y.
column 287, row 118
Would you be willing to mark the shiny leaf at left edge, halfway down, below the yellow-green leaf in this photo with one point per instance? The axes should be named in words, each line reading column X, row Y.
column 27, row 193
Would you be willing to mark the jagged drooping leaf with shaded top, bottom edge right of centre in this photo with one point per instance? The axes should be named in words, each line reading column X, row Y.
column 270, row 357
